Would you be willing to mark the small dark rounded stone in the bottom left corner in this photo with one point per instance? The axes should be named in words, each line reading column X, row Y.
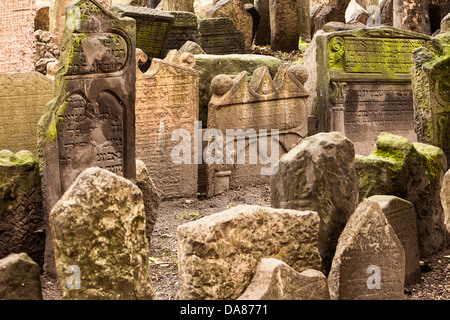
column 19, row 278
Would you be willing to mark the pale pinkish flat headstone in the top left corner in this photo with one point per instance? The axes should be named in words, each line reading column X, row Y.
column 17, row 36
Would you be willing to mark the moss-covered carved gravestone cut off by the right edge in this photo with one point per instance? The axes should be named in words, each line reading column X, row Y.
column 431, row 88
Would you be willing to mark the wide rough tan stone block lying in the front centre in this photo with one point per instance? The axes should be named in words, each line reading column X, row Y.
column 218, row 254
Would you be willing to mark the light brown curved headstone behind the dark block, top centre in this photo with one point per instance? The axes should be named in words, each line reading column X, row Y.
column 235, row 11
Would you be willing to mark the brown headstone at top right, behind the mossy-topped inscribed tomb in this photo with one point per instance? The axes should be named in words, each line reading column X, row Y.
column 412, row 15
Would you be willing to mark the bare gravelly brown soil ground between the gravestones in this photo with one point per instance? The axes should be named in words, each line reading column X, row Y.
column 435, row 283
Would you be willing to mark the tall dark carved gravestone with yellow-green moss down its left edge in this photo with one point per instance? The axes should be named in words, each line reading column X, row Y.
column 90, row 121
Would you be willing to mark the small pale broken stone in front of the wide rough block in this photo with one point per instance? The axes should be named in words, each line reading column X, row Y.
column 275, row 280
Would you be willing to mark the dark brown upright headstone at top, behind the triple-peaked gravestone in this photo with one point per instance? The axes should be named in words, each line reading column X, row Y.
column 284, row 30
